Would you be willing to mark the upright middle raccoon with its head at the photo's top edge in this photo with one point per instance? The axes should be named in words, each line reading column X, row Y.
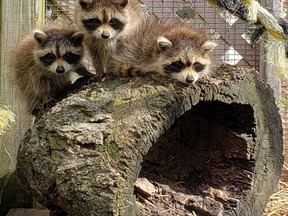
column 103, row 22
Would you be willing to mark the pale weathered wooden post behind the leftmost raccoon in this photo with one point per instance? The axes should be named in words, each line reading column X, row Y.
column 17, row 18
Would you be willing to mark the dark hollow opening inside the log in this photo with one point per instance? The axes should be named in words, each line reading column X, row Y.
column 203, row 161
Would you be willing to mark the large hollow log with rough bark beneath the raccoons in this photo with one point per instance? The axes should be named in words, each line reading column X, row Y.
column 212, row 148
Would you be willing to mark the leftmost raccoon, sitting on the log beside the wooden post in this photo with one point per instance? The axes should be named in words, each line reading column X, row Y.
column 42, row 64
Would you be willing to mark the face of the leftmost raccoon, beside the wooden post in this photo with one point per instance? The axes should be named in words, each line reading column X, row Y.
column 59, row 54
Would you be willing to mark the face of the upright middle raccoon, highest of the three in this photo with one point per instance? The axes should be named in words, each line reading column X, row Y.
column 104, row 22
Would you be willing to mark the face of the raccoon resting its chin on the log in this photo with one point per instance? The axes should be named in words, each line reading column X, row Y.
column 186, row 65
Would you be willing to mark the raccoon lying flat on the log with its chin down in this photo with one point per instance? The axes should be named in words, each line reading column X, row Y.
column 168, row 48
